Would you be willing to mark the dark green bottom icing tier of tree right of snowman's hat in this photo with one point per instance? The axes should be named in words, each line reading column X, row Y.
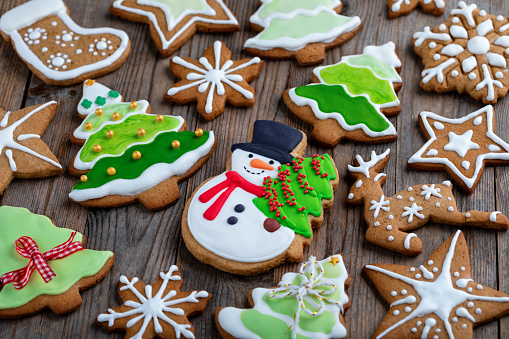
column 354, row 110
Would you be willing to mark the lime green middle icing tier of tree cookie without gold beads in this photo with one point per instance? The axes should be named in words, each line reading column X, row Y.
column 360, row 81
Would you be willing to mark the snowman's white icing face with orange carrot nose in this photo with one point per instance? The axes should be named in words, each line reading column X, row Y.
column 254, row 167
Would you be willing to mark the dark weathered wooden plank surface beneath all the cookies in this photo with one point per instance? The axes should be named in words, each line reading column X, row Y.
column 146, row 243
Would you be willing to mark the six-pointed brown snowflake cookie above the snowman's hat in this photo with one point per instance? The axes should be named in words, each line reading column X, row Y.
column 213, row 80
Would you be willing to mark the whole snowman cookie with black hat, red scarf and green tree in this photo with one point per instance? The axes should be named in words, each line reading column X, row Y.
column 261, row 211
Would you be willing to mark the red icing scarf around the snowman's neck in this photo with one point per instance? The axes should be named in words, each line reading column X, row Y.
column 233, row 180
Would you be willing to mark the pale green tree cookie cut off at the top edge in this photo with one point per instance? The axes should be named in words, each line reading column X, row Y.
column 301, row 29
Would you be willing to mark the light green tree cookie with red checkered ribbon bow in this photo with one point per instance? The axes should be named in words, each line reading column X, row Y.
column 44, row 266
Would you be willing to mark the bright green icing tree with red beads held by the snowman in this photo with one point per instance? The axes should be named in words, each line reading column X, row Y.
column 312, row 201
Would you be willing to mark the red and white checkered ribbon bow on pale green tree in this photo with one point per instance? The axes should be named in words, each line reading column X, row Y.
column 28, row 248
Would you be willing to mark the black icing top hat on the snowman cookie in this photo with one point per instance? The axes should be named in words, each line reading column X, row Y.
column 273, row 140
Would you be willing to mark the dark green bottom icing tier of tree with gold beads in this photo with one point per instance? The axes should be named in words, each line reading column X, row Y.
column 160, row 150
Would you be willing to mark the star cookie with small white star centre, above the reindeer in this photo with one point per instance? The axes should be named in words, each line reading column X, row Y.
column 462, row 146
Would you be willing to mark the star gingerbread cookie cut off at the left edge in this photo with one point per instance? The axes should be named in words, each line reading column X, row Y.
column 25, row 155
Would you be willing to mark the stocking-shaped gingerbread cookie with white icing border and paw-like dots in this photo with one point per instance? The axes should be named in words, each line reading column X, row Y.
column 56, row 49
